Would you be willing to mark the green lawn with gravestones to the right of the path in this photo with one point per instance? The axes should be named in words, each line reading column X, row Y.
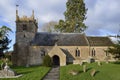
column 104, row 72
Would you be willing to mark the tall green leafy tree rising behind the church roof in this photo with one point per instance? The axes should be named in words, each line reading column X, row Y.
column 74, row 17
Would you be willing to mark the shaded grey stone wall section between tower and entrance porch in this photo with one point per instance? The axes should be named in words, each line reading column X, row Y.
column 36, row 54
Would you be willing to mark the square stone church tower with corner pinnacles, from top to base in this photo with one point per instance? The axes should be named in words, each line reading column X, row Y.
column 26, row 28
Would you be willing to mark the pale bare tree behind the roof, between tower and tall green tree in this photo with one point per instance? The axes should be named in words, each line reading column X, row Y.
column 49, row 27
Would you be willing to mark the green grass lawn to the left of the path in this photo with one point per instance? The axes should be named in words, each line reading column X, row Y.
column 30, row 73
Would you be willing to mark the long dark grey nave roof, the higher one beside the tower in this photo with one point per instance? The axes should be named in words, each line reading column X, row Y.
column 62, row 39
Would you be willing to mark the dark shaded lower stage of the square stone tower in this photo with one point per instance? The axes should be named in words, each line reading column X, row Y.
column 19, row 56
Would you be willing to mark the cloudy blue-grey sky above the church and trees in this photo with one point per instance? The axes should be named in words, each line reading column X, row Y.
column 103, row 16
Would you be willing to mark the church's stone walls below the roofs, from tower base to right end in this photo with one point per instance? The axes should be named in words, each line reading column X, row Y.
column 33, row 55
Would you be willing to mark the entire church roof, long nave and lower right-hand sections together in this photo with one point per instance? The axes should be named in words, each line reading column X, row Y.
column 69, row 39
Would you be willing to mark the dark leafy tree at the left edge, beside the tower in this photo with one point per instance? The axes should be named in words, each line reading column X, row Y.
column 4, row 40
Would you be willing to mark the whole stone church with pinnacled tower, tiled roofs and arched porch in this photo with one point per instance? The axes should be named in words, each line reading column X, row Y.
column 31, row 46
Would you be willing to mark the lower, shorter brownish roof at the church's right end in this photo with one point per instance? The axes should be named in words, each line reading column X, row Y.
column 99, row 41
